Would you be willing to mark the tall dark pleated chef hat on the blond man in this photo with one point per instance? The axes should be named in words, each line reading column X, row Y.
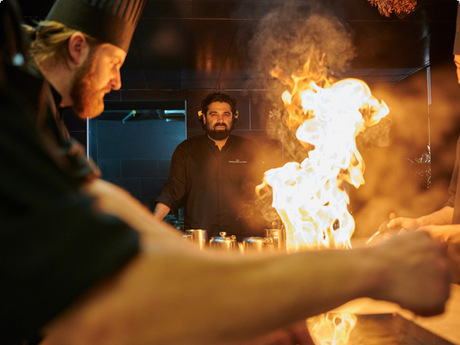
column 109, row 21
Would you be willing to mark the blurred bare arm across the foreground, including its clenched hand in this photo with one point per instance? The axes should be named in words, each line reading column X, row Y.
column 229, row 298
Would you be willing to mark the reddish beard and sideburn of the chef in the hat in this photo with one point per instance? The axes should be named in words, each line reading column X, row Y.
column 87, row 102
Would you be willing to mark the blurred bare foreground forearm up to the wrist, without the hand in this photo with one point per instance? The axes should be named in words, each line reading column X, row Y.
column 211, row 298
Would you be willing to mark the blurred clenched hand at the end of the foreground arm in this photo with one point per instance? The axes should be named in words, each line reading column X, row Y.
column 416, row 275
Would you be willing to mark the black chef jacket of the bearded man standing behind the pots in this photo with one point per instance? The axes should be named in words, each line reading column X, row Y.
column 217, row 187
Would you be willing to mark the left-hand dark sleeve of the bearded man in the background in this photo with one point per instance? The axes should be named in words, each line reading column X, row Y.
column 174, row 190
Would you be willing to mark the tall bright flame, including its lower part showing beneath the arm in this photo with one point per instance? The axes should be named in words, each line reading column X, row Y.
column 311, row 197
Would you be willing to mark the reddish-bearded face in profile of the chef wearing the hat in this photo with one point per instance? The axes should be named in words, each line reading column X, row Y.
column 99, row 74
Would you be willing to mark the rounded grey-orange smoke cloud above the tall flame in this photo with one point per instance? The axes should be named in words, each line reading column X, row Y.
column 292, row 33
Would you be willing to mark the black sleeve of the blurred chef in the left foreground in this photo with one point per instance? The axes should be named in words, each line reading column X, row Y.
column 53, row 246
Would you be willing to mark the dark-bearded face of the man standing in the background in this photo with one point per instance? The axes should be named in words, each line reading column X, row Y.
column 218, row 120
